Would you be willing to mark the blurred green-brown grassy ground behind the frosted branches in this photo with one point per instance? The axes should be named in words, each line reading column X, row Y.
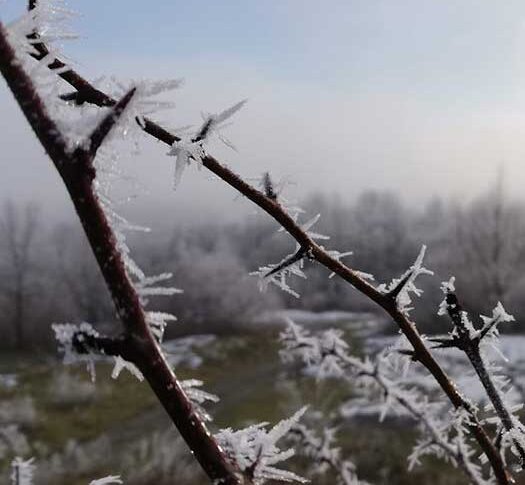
column 78, row 431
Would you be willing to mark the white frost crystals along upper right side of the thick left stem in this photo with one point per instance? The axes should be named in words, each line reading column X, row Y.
column 76, row 123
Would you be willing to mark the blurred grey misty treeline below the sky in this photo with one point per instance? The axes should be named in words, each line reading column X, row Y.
column 49, row 275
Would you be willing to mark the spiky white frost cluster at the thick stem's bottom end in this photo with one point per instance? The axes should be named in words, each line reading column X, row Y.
column 254, row 449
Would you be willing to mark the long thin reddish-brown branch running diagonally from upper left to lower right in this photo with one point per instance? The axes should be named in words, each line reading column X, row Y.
column 87, row 93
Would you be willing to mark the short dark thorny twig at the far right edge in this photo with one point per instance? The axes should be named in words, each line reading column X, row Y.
column 470, row 345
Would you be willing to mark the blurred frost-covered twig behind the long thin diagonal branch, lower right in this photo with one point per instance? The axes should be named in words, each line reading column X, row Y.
column 326, row 355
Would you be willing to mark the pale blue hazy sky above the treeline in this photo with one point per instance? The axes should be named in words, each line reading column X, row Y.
column 420, row 97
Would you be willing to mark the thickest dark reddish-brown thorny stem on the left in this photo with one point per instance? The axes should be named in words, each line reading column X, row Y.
column 137, row 344
